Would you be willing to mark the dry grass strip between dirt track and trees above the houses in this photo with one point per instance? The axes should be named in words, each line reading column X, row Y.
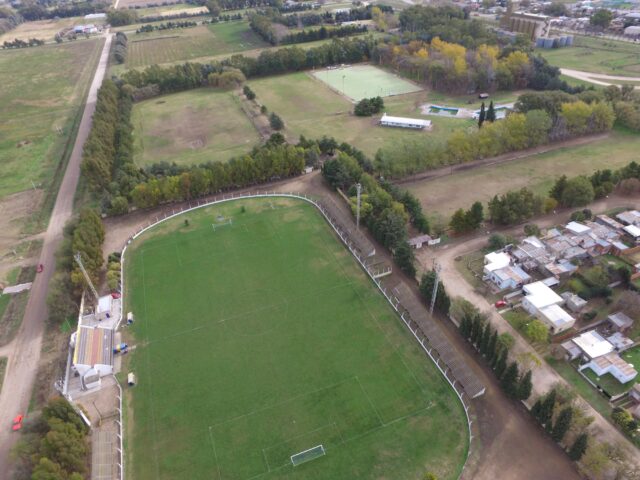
column 442, row 196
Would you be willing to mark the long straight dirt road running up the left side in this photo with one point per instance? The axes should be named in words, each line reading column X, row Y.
column 25, row 349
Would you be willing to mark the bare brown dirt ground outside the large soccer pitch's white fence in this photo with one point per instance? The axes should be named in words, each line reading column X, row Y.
column 512, row 444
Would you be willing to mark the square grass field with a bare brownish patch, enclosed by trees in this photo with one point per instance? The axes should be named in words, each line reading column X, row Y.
column 191, row 127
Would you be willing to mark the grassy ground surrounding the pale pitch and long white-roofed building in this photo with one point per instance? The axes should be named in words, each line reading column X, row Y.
column 310, row 108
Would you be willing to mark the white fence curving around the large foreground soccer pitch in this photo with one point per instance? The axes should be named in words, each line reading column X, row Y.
column 373, row 275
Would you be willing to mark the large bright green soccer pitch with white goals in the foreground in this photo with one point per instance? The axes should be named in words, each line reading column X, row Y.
column 262, row 338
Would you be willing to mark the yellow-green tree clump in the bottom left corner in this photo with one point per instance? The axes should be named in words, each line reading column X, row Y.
column 54, row 445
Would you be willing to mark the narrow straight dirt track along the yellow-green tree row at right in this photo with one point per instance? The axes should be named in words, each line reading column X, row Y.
column 500, row 159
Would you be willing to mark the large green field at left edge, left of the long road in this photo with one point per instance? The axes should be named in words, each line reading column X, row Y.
column 42, row 90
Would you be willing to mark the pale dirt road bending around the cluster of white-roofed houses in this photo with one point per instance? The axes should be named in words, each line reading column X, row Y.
column 544, row 377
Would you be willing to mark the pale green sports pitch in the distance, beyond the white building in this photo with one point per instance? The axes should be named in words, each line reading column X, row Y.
column 365, row 81
